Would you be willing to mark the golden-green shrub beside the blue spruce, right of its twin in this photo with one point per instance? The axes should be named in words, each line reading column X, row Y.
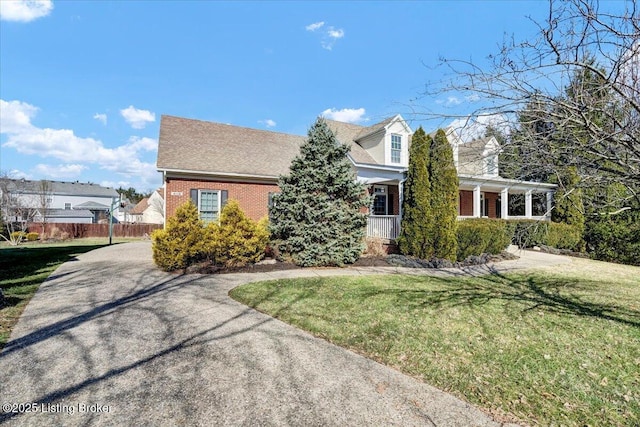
column 238, row 240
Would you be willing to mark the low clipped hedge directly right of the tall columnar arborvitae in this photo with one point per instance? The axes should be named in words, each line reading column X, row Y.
column 477, row 236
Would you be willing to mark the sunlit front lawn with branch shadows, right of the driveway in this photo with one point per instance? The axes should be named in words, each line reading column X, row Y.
column 551, row 347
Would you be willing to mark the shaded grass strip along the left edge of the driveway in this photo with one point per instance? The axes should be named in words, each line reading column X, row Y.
column 23, row 268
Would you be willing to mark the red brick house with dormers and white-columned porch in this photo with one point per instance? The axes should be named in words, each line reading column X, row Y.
column 210, row 162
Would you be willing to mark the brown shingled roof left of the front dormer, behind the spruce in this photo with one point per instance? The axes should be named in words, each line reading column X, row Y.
column 189, row 145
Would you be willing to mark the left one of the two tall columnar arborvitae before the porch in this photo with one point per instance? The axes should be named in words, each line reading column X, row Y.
column 416, row 228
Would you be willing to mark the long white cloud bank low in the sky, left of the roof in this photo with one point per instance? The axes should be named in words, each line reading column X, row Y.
column 75, row 151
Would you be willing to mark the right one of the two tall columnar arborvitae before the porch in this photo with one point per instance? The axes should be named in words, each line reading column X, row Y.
column 444, row 197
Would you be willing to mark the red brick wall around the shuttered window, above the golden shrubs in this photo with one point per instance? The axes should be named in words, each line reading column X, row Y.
column 253, row 198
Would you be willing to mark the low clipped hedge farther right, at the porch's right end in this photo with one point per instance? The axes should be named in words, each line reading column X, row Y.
column 529, row 233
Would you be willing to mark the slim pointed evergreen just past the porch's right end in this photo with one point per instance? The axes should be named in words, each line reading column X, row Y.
column 569, row 207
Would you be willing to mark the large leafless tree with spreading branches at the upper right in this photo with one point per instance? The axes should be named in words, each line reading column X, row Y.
column 572, row 94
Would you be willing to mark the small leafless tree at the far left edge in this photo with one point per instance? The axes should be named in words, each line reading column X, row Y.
column 16, row 208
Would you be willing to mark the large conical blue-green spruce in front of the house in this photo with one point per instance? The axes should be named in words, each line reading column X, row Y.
column 318, row 217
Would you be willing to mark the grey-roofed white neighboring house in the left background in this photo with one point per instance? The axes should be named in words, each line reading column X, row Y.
column 61, row 201
